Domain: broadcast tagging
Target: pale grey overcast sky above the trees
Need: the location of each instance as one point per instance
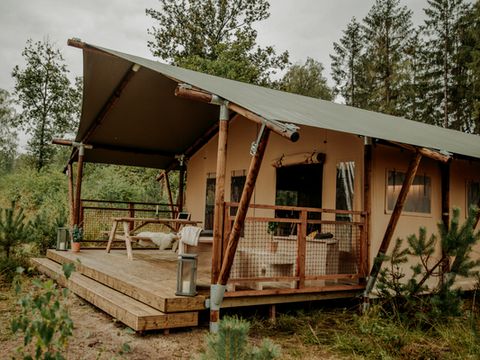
(303, 27)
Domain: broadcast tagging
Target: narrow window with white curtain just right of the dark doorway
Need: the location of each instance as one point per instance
(345, 189)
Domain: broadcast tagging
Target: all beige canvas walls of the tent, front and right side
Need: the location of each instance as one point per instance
(337, 147)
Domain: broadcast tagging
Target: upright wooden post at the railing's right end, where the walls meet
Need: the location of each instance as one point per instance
(367, 208)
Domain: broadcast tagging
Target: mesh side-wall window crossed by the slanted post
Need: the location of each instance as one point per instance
(418, 198)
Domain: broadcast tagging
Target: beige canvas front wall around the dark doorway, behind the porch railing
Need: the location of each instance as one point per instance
(337, 147)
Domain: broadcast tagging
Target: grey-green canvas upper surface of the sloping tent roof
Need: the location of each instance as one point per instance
(286, 107)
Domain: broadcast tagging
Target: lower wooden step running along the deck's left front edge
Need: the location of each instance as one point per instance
(131, 312)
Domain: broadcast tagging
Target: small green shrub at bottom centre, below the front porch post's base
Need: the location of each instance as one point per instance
(231, 342)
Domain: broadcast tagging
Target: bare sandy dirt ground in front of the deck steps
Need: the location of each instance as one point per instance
(99, 336)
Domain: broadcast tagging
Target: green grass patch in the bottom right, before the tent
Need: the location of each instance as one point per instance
(345, 334)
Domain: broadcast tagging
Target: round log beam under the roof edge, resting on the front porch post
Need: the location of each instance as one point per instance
(276, 126)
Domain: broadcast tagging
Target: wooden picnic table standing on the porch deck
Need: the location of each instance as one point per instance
(129, 229)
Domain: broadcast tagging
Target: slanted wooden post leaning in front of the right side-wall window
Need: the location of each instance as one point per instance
(392, 224)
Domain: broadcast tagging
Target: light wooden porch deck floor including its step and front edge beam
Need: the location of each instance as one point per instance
(141, 292)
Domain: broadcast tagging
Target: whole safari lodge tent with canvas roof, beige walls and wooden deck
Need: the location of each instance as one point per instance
(296, 196)
